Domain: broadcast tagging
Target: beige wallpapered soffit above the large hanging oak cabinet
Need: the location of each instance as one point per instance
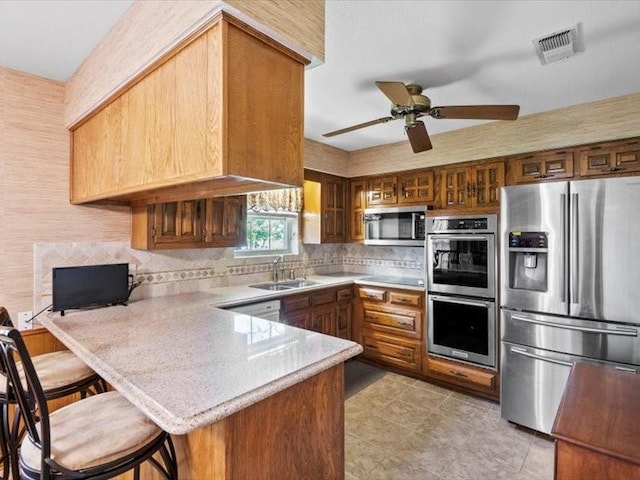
(150, 28)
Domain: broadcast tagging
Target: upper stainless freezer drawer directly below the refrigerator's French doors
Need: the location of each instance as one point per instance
(584, 338)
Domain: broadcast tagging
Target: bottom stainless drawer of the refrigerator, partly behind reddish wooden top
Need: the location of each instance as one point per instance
(533, 381)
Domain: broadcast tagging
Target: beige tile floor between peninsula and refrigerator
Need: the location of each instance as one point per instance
(401, 428)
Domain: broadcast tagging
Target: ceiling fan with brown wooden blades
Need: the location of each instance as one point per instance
(409, 103)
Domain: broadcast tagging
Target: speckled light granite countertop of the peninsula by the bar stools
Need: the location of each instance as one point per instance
(187, 364)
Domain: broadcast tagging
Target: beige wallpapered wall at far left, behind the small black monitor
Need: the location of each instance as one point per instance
(34, 185)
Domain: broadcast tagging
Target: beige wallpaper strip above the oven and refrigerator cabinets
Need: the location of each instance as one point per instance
(609, 119)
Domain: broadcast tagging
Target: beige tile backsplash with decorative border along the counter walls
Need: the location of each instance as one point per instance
(167, 272)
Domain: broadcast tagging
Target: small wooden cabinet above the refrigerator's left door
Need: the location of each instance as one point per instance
(541, 166)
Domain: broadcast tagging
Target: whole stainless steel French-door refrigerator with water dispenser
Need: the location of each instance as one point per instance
(570, 288)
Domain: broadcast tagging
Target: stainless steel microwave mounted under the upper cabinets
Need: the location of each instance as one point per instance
(395, 226)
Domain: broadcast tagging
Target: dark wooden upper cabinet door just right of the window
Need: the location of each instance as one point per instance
(334, 202)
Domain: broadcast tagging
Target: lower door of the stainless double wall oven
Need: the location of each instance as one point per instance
(463, 328)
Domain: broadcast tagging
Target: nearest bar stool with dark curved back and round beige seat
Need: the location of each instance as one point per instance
(98, 437)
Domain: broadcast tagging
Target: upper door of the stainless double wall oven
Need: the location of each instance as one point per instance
(462, 264)
